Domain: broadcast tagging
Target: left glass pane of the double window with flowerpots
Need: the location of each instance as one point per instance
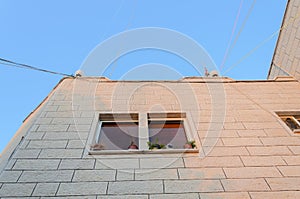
(118, 135)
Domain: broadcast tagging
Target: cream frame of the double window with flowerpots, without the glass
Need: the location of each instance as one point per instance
(143, 133)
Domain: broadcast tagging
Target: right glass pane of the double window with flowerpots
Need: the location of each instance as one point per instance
(168, 133)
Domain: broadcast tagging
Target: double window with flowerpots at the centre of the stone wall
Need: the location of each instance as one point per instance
(141, 132)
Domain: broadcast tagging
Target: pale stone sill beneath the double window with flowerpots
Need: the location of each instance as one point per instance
(133, 151)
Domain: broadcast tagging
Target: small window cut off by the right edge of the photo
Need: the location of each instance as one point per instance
(291, 119)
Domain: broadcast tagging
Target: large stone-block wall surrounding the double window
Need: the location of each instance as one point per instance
(255, 156)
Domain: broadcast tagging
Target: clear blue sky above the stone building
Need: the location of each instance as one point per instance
(59, 35)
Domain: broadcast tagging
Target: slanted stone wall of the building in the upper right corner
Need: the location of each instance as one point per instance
(286, 59)
